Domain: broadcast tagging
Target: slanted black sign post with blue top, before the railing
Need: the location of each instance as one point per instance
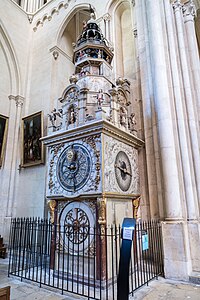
(128, 227)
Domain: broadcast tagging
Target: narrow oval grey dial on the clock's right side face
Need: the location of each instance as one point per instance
(123, 171)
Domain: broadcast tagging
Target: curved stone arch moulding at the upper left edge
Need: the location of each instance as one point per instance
(12, 64)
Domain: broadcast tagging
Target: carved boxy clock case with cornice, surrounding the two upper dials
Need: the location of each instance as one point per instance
(103, 142)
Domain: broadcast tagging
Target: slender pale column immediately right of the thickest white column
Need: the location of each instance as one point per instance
(183, 128)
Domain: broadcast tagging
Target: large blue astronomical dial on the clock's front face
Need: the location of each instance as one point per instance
(74, 166)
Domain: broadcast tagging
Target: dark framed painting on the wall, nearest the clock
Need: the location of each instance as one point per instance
(32, 147)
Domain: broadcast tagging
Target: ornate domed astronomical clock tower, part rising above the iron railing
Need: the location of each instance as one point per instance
(92, 144)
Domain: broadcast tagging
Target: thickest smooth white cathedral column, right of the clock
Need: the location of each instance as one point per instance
(169, 155)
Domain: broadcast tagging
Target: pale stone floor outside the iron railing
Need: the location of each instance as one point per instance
(161, 289)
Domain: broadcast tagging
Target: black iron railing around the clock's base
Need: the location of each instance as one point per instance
(82, 260)
